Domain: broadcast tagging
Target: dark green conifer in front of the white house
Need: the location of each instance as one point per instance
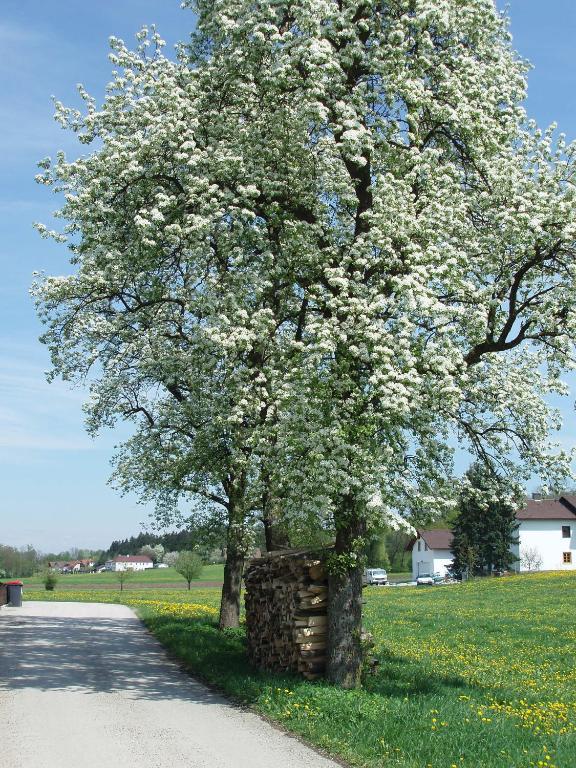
(485, 526)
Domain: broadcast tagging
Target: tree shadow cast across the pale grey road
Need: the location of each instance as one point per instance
(90, 655)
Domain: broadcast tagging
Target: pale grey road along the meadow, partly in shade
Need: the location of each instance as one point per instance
(85, 684)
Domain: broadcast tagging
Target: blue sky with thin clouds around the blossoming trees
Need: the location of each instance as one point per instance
(53, 477)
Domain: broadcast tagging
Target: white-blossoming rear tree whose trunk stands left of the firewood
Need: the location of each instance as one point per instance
(162, 315)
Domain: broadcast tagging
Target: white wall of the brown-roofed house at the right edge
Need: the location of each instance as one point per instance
(545, 537)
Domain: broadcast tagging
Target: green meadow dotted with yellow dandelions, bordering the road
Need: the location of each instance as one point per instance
(474, 675)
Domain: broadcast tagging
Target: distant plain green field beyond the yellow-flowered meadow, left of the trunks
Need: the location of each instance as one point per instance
(148, 578)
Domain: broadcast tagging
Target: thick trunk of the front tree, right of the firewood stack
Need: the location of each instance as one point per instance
(344, 654)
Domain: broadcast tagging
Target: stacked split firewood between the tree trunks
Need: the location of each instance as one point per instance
(286, 612)
